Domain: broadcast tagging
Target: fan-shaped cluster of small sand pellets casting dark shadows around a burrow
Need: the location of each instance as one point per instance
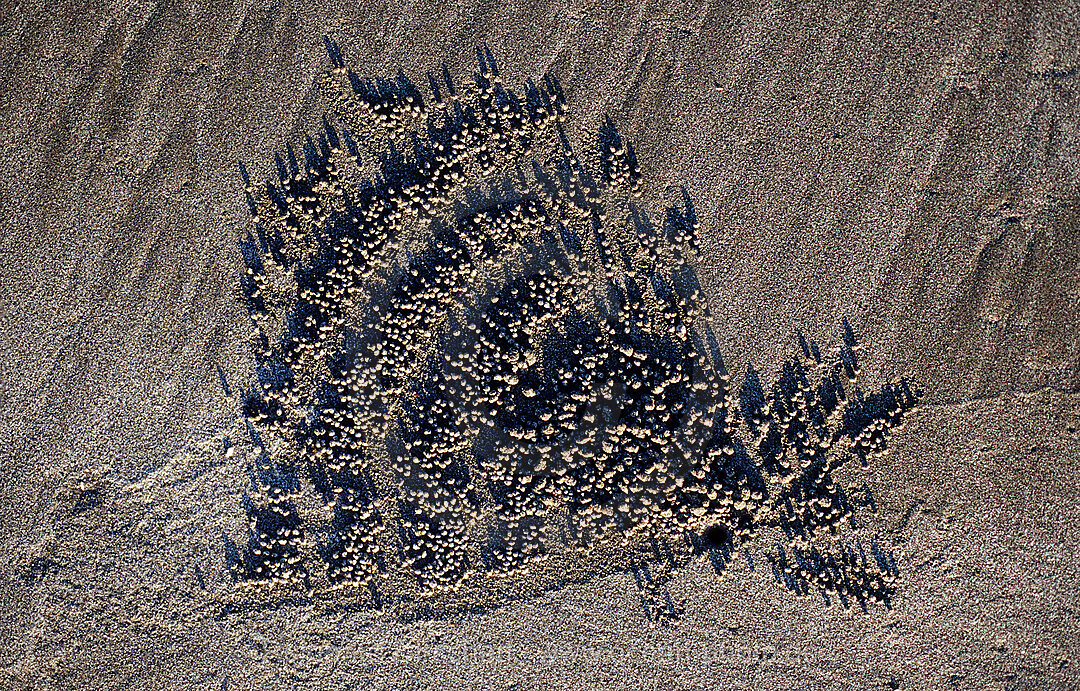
(482, 372)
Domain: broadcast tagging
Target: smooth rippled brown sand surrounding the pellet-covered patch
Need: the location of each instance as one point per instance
(914, 169)
